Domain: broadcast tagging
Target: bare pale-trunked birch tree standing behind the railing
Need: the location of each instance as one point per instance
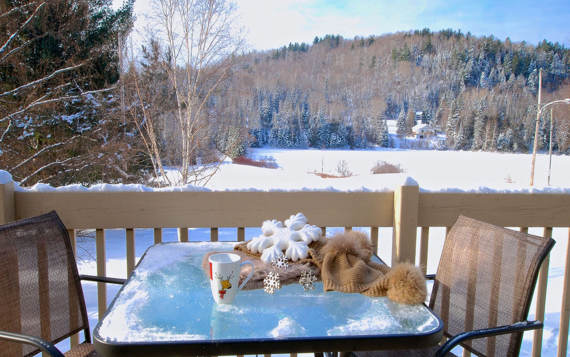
(202, 42)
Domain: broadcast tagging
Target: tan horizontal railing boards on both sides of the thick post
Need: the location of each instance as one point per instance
(323, 208)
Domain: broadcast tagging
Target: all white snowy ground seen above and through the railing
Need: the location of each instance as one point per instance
(432, 170)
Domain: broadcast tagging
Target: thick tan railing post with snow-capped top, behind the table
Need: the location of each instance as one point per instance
(406, 205)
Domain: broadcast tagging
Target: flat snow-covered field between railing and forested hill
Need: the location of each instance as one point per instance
(433, 170)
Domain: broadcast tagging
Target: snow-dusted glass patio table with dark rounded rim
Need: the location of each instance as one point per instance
(166, 307)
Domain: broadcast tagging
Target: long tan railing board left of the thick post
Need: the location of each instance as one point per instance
(207, 209)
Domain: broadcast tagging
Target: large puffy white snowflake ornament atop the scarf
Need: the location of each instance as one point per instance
(292, 240)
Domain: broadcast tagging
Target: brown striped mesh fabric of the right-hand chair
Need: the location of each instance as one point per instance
(486, 277)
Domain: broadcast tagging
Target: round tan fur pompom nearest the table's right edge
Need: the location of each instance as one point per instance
(406, 284)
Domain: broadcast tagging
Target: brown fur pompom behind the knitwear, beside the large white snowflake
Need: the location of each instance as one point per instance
(352, 243)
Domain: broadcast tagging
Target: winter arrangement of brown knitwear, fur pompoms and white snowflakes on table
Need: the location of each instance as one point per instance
(297, 252)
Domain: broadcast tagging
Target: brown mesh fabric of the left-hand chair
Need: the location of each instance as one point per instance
(40, 292)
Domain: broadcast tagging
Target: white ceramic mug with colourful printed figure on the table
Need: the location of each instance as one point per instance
(224, 276)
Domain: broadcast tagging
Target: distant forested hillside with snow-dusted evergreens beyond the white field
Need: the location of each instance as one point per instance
(480, 92)
